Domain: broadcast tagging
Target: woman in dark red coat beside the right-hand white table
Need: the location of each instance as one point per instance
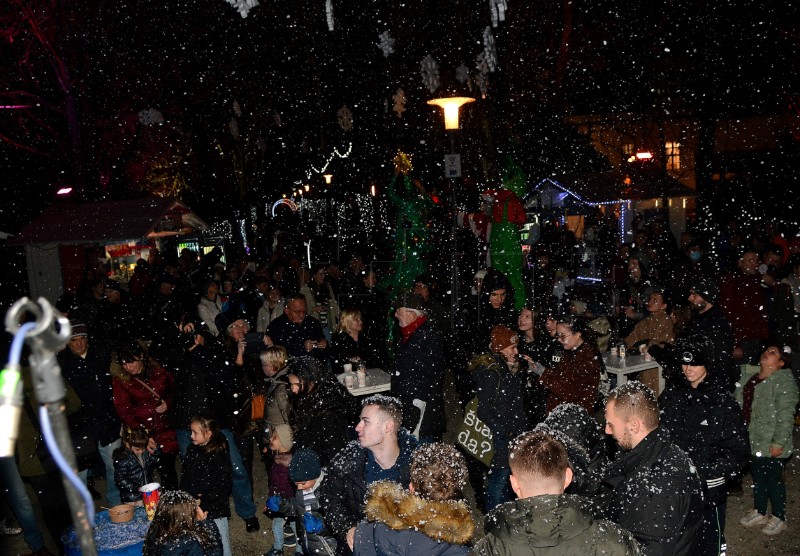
(576, 377)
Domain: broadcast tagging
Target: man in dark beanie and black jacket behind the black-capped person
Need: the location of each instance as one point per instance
(708, 320)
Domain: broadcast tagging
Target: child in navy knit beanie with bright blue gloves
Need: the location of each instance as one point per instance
(306, 473)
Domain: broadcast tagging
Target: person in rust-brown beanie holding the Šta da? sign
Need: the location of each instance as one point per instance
(500, 383)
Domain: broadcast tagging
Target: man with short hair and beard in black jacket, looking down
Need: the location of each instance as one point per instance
(656, 491)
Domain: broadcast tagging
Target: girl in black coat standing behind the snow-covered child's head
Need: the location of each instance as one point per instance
(207, 474)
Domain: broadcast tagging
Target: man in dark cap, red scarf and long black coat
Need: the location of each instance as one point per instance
(418, 380)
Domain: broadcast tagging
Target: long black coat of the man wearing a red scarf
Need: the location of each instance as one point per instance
(419, 374)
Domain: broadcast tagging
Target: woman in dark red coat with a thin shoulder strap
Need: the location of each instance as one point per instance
(142, 398)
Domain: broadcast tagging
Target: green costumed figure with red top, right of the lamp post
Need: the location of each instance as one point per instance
(508, 216)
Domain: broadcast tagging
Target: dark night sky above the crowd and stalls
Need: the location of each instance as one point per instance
(89, 67)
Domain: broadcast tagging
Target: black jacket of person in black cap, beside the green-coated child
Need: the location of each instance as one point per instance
(706, 422)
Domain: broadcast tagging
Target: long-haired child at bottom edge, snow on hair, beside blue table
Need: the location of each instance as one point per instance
(180, 528)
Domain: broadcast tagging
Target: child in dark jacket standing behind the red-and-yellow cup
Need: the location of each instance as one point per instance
(134, 463)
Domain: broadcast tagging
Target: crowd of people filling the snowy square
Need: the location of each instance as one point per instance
(196, 371)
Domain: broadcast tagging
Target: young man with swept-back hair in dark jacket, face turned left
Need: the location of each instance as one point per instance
(382, 452)
